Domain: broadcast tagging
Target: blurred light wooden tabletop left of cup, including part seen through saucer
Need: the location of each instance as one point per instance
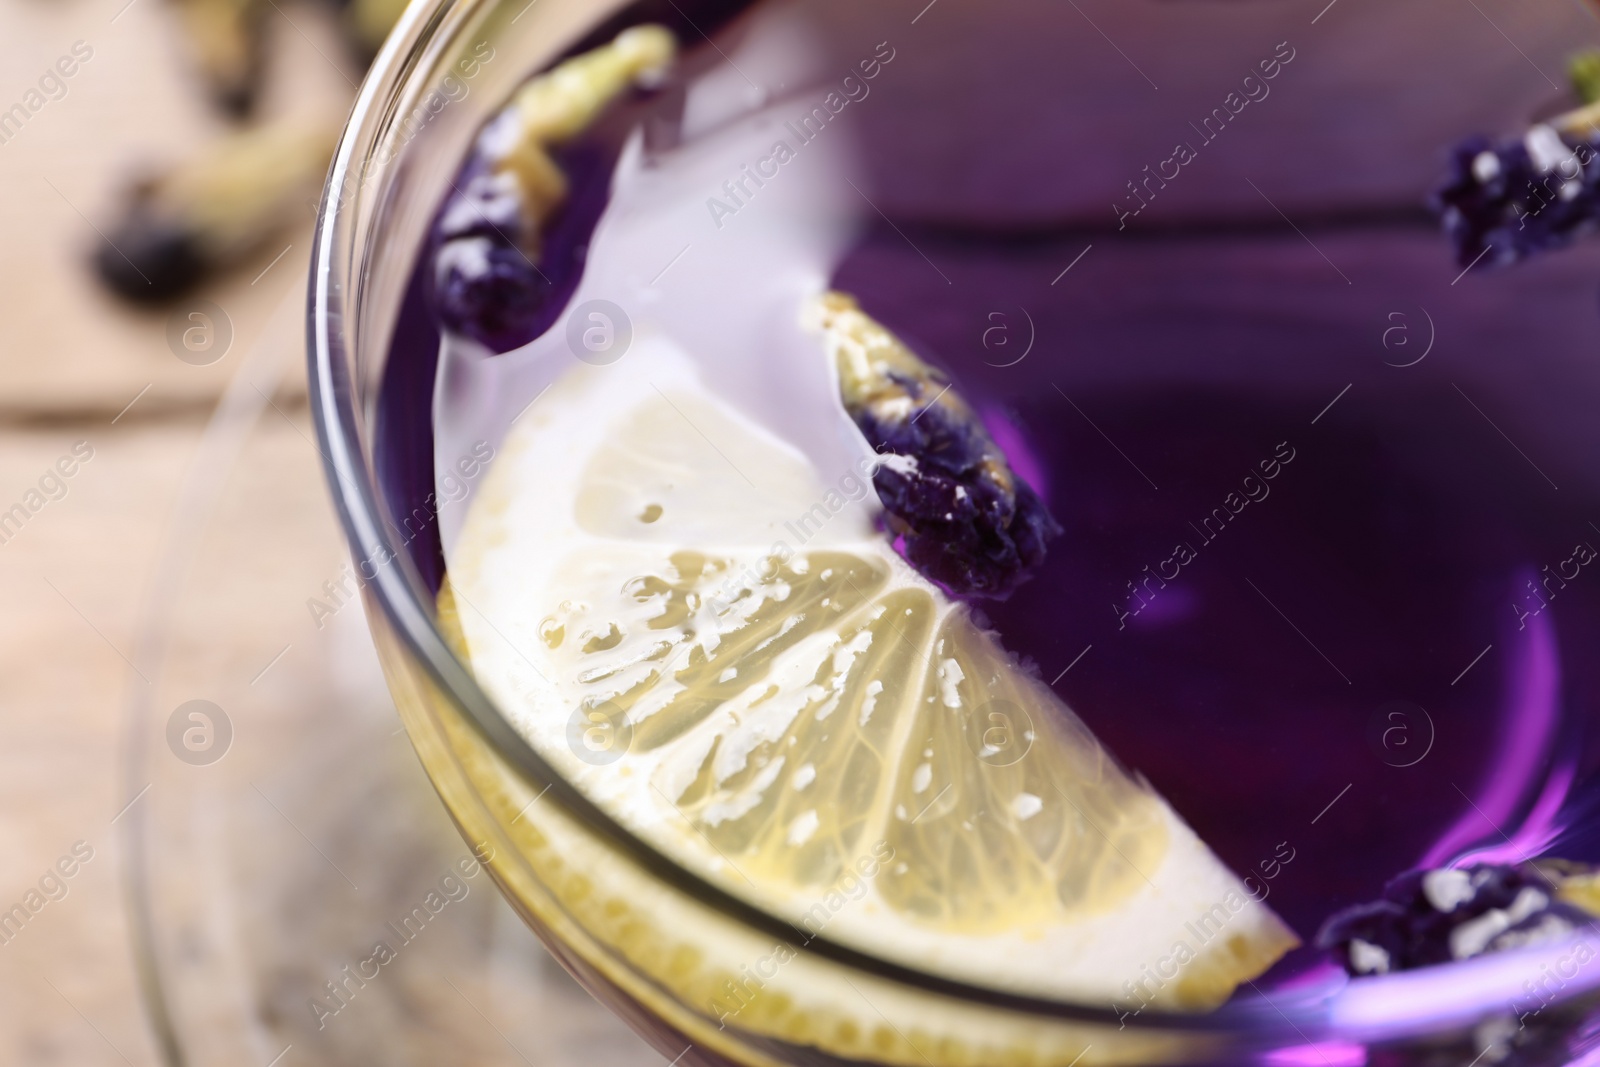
(87, 377)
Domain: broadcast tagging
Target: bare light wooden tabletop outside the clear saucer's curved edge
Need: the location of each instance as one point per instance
(73, 361)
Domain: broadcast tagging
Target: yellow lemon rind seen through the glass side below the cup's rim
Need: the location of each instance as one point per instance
(662, 957)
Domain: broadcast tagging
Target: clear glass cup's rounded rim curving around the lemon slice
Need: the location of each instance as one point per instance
(348, 298)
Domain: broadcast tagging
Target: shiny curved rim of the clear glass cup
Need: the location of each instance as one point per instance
(1310, 1015)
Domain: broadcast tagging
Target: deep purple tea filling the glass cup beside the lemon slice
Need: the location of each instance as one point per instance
(1329, 502)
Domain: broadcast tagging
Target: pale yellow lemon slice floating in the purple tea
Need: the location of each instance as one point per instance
(710, 639)
